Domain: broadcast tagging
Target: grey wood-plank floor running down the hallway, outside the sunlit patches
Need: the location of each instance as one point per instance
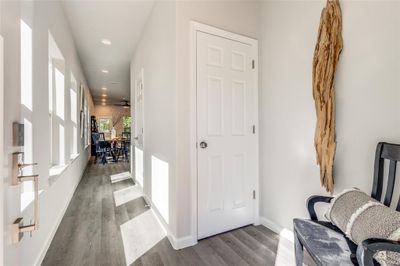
(90, 233)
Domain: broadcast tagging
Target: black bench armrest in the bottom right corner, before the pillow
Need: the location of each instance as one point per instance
(368, 248)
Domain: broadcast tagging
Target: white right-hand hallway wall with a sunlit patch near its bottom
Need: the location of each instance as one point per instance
(155, 54)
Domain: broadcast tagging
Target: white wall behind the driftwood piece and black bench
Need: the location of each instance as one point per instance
(367, 90)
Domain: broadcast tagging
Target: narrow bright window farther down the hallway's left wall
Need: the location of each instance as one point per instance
(74, 117)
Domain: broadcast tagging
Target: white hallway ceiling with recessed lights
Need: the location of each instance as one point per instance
(121, 22)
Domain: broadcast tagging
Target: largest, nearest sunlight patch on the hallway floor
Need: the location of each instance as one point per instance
(139, 235)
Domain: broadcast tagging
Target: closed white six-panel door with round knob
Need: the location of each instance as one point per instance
(227, 151)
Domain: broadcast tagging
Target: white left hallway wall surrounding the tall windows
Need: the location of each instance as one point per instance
(42, 18)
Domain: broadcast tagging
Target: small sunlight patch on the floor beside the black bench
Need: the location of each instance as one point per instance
(285, 251)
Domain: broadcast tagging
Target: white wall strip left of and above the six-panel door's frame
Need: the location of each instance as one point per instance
(236, 16)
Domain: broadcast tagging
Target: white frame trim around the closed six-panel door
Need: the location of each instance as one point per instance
(199, 27)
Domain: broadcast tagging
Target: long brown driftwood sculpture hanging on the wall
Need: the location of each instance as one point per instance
(326, 56)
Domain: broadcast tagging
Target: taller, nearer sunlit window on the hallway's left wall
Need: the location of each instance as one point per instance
(56, 103)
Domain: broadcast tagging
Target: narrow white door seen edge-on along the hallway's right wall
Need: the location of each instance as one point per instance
(139, 129)
